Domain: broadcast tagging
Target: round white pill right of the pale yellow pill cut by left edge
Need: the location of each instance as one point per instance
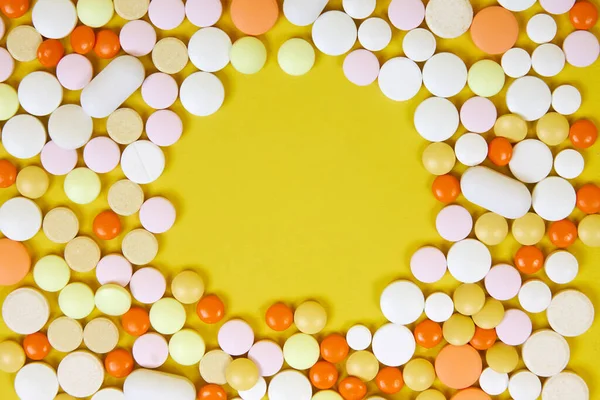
(40, 93)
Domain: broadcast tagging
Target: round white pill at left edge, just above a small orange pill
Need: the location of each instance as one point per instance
(23, 136)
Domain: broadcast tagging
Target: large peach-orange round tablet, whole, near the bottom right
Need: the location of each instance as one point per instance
(458, 367)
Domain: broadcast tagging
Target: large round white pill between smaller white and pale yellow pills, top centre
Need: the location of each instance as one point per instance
(334, 33)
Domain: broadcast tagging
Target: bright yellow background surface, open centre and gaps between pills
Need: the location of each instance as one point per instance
(305, 188)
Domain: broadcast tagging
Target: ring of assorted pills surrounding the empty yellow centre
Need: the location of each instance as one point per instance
(478, 336)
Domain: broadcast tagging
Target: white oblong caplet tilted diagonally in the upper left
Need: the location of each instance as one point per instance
(112, 86)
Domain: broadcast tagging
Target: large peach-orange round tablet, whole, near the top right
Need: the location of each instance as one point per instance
(494, 30)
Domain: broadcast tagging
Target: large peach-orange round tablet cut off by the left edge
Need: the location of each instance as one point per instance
(15, 262)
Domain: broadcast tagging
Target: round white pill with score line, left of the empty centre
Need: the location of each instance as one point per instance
(142, 162)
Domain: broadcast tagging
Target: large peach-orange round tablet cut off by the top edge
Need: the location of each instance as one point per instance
(254, 17)
